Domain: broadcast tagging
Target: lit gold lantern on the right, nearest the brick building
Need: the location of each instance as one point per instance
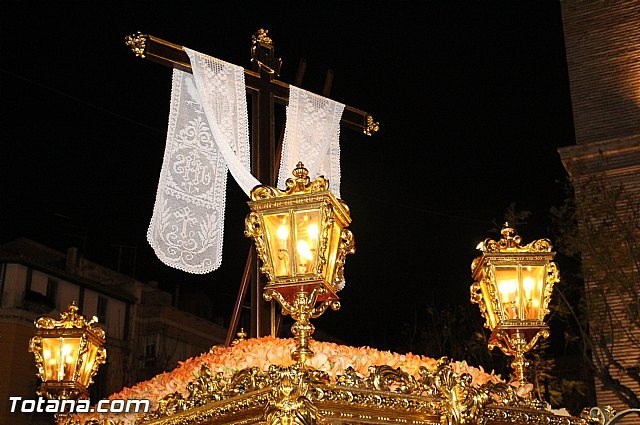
(513, 286)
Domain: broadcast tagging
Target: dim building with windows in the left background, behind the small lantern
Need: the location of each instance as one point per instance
(146, 333)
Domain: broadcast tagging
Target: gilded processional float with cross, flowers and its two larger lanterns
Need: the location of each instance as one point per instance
(302, 239)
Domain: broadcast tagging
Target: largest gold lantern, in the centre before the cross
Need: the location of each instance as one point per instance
(301, 237)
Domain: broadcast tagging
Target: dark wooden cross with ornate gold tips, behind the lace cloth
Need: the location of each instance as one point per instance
(265, 91)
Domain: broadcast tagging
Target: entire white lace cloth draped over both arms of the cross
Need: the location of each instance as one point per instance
(208, 133)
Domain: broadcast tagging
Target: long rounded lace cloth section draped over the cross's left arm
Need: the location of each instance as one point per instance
(208, 132)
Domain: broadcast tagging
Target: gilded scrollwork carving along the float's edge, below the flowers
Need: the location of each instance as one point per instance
(298, 395)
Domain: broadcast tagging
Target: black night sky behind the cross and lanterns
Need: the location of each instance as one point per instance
(472, 99)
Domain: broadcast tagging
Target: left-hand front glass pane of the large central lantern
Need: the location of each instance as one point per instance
(279, 236)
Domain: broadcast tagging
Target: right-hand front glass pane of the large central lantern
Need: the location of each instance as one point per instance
(307, 240)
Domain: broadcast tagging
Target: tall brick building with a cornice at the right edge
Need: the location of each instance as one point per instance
(602, 42)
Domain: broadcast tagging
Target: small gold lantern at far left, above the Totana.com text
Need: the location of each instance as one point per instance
(68, 353)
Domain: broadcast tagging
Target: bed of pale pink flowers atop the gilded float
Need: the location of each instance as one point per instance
(331, 358)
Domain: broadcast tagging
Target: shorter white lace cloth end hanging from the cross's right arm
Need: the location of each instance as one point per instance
(312, 134)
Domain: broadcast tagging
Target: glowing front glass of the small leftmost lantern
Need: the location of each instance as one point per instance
(60, 356)
